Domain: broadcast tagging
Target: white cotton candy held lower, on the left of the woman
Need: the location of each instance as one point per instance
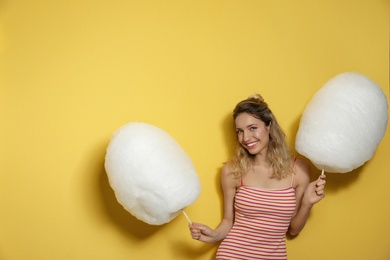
(151, 175)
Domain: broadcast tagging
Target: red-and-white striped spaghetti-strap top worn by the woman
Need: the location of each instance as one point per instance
(262, 218)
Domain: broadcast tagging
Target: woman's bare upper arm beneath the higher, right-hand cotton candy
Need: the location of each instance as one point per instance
(302, 178)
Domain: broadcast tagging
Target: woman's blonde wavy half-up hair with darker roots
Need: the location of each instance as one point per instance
(279, 153)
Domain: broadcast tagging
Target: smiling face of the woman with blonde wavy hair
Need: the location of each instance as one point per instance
(252, 133)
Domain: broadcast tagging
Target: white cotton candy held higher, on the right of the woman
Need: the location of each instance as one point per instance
(343, 124)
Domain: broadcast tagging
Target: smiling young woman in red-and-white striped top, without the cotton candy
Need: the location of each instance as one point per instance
(266, 190)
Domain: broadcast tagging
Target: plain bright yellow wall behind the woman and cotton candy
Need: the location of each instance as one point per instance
(72, 72)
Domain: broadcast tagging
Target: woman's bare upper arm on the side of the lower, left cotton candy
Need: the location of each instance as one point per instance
(229, 186)
